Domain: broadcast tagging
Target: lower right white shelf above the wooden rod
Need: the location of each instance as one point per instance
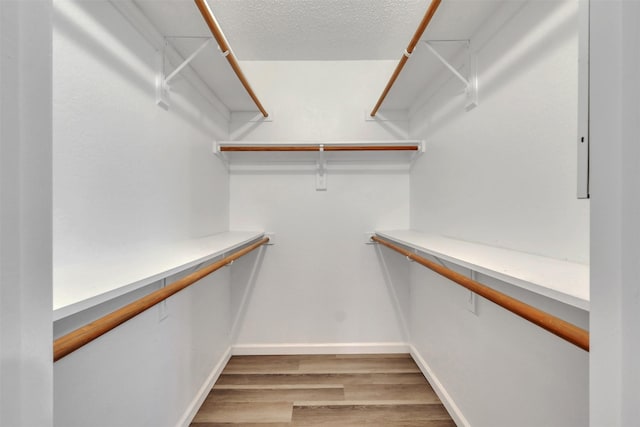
(564, 281)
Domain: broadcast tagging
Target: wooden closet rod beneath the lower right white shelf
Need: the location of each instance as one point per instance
(565, 330)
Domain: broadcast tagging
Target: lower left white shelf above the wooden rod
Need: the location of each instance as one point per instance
(79, 287)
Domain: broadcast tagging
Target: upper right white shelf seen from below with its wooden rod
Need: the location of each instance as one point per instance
(453, 24)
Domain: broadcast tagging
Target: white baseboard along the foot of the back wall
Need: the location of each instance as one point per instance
(320, 348)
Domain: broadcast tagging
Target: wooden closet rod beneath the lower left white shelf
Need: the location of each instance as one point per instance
(85, 334)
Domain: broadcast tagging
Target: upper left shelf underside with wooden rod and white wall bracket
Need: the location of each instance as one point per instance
(190, 44)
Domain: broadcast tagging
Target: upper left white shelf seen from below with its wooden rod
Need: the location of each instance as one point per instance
(184, 29)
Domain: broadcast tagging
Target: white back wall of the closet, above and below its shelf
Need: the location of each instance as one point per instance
(320, 283)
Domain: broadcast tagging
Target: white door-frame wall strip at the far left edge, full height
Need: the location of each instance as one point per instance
(26, 375)
